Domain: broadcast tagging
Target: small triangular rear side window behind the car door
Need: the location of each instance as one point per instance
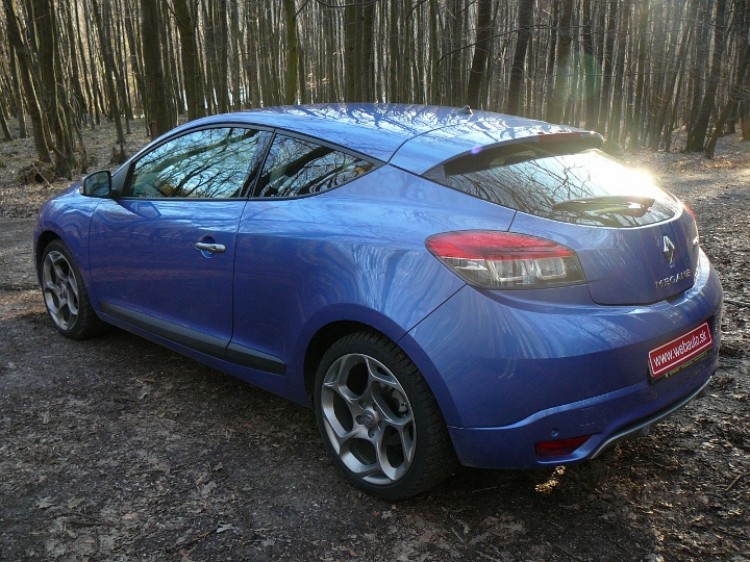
(300, 167)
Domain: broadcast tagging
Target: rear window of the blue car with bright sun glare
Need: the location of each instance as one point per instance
(588, 188)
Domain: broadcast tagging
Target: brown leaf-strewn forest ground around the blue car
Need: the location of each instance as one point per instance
(117, 449)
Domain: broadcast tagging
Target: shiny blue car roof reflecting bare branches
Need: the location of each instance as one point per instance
(413, 137)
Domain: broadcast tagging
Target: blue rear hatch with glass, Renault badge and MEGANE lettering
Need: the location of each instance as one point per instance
(635, 242)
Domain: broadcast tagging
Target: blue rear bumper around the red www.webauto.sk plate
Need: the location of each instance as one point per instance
(513, 371)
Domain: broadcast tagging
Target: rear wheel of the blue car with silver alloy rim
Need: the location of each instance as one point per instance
(379, 420)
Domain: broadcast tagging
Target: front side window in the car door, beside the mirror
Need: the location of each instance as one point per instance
(204, 164)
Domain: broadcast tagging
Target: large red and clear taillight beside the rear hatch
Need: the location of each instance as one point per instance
(503, 260)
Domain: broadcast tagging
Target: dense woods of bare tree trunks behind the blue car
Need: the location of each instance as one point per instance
(641, 72)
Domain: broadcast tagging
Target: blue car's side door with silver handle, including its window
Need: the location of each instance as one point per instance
(162, 254)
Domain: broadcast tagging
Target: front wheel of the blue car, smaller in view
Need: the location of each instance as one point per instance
(65, 294)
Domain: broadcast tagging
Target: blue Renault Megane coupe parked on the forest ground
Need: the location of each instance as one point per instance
(442, 285)
